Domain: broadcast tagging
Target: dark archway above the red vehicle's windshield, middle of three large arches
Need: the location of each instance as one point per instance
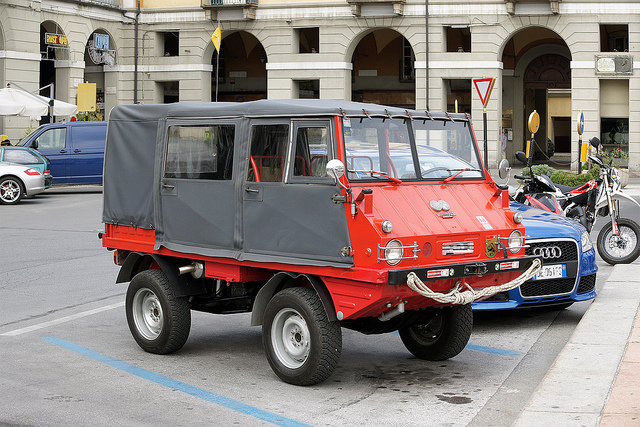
(383, 70)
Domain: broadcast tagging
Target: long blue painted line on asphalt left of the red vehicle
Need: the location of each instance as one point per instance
(177, 385)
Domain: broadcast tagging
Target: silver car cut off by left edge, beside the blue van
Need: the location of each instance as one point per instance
(17, 181)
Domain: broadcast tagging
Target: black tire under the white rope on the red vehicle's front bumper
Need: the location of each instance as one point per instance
(442, 336)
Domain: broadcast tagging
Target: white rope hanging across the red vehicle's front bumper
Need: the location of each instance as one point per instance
(454, 296)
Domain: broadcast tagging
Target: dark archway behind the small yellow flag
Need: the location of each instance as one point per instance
(242, 71)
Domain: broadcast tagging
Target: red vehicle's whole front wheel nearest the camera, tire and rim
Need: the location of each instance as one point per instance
(302, 346)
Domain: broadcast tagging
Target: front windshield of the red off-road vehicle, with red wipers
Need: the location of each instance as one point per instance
(383, 148)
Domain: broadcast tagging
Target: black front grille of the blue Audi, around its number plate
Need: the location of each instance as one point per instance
(542, 288)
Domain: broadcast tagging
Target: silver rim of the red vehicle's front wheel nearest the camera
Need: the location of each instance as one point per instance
(290, 338)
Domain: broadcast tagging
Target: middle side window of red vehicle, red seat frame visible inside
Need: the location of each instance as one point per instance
(268, 152)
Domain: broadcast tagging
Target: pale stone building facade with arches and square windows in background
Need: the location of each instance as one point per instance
(562, 59)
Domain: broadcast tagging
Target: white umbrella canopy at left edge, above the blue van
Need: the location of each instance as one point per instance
(19, 102)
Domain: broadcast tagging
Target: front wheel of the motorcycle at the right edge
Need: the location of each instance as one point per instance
(622, 249)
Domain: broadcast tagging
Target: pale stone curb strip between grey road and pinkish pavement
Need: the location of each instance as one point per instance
(578, 384)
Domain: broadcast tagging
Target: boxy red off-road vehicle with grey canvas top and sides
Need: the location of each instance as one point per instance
(313, 215)
